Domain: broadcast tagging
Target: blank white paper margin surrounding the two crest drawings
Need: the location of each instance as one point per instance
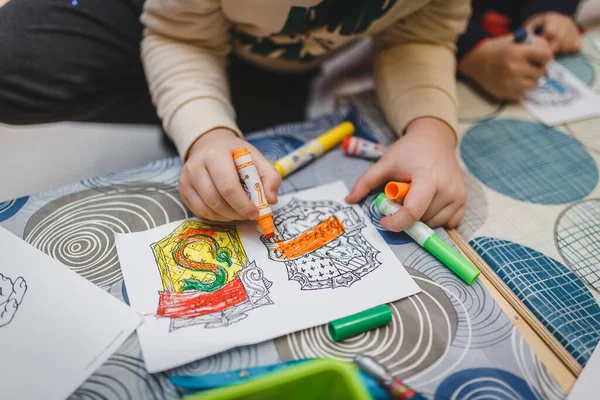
(293, 309)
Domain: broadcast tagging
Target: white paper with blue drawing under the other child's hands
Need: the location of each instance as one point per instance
(561, 97)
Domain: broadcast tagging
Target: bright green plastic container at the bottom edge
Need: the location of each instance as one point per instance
(314, 380)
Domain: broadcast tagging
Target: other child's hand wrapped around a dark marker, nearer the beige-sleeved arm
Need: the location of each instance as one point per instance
(506, 69)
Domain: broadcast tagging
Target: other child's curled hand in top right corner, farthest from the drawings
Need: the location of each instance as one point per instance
(559, 30)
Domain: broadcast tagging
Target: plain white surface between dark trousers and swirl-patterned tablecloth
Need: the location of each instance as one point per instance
(40, 157)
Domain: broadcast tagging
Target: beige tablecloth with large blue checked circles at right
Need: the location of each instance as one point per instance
(533, 210)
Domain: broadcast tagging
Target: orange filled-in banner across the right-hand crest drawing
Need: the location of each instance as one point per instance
(311, 239)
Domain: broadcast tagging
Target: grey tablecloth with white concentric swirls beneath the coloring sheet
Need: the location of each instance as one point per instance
(450, 341)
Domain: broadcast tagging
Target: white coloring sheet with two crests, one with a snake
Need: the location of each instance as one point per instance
(350, 273)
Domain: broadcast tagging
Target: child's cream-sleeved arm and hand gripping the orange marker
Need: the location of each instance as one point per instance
(184, 51)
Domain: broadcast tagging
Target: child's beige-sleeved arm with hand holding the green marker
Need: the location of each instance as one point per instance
(414, 70)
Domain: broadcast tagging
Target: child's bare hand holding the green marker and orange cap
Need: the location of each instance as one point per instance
(424, 156)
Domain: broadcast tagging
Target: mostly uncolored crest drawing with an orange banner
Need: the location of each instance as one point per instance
(321, 244)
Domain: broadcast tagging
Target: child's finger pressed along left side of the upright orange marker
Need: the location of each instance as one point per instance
(227, 181)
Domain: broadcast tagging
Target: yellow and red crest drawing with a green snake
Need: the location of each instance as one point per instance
(206, 276)
